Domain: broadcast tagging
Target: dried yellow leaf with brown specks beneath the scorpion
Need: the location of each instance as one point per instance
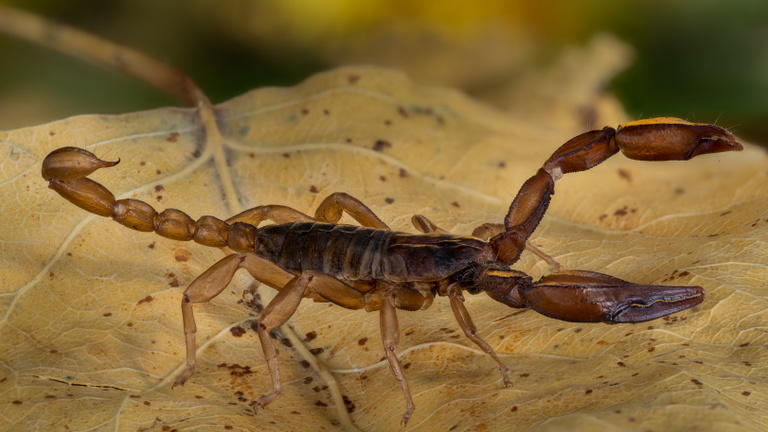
(90, 327)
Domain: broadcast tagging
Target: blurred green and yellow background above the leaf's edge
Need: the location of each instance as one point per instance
(701, 60)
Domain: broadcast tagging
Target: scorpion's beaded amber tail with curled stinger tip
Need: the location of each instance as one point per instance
(66, 170)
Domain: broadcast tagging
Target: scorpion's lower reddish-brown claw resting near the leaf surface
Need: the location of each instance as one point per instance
(585, 296)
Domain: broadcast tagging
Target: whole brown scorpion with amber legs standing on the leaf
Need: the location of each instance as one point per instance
(373, 268)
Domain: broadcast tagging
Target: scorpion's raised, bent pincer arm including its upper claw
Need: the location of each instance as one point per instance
(656, 139)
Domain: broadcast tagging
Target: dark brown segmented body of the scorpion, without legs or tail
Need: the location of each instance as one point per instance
(367, 254)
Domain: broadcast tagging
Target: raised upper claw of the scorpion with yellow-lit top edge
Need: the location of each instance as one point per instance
(669, 138)
